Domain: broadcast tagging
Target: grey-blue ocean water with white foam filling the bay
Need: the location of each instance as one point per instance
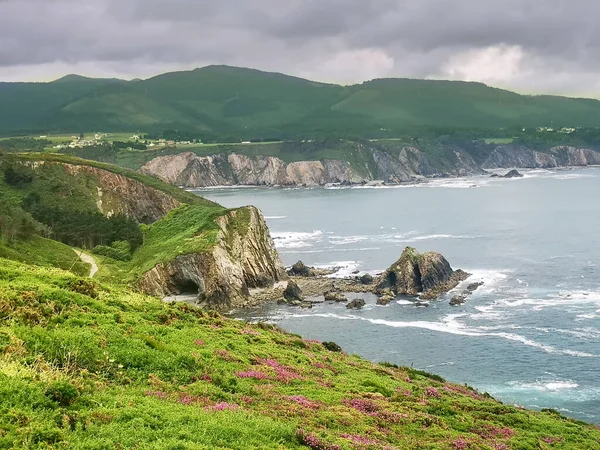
(529, 336)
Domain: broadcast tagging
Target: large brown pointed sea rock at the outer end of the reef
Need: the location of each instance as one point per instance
(428, 274)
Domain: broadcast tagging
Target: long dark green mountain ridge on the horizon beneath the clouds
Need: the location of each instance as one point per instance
(231, 101)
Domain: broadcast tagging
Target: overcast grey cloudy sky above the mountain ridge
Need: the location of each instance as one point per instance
(531, 46)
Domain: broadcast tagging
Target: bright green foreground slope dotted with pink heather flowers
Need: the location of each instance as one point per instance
(85, 366)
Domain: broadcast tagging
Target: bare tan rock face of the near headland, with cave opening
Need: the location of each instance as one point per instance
(243, 258)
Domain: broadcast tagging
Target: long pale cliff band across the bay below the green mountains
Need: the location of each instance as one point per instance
(360, 163)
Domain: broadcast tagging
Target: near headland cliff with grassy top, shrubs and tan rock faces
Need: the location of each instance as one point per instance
(185, 243)
